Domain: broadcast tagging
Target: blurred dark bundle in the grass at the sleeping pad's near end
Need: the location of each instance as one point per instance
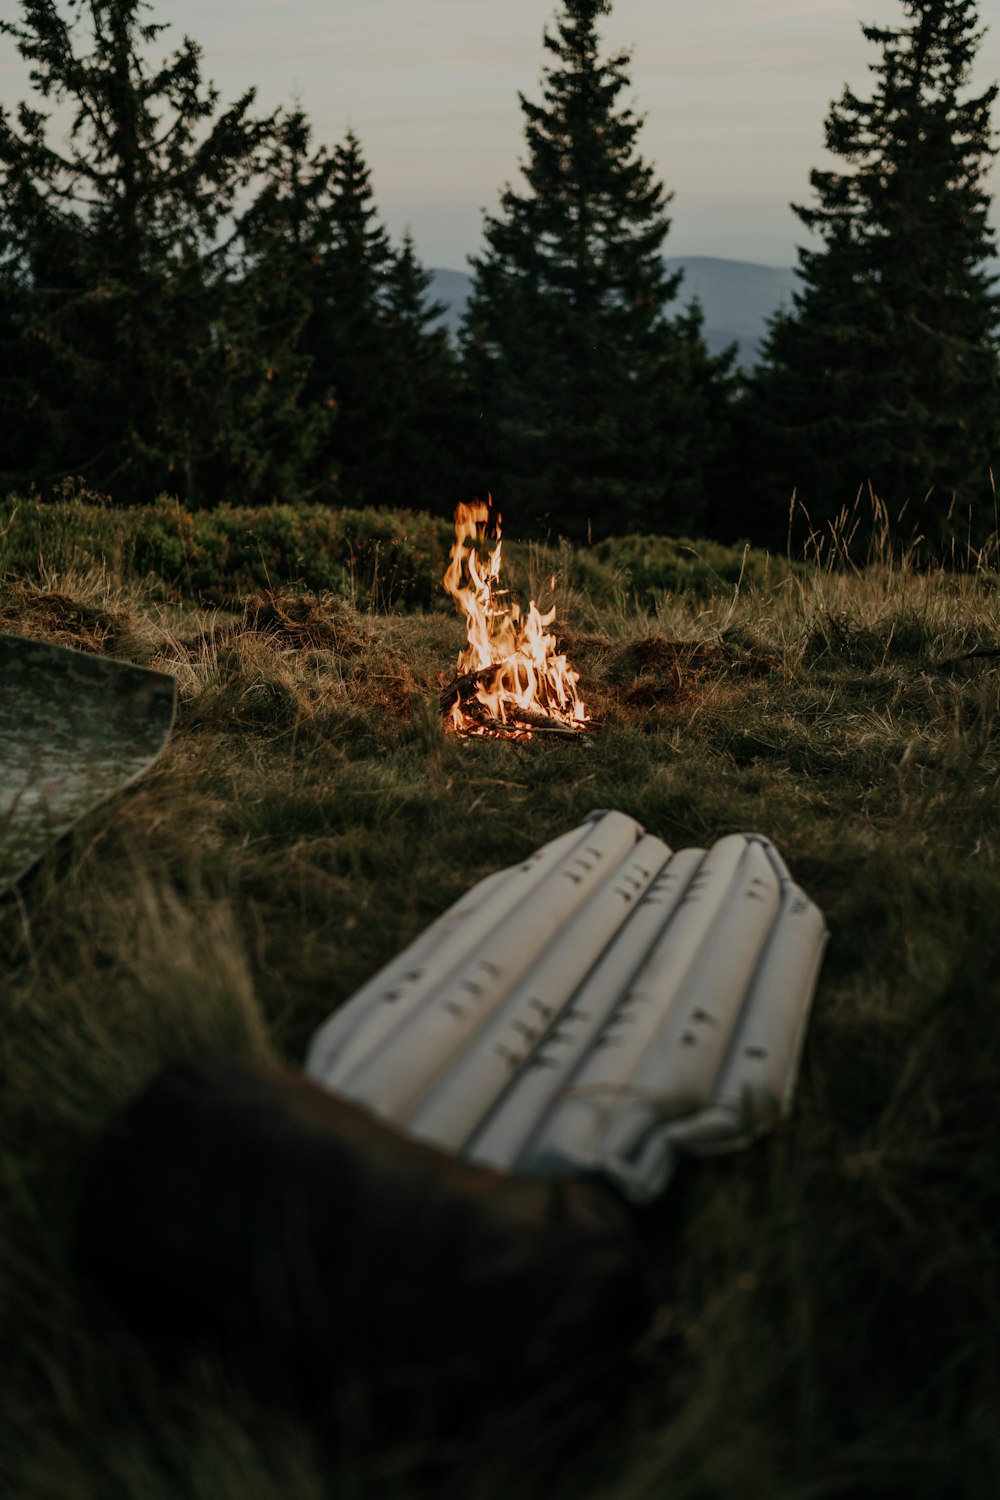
(245, 1202)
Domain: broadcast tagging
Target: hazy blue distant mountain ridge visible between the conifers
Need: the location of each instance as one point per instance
(737, 298)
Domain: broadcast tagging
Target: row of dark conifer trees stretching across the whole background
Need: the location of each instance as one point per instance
(200, 301)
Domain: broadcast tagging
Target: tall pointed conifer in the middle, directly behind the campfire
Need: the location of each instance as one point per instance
(597, 406)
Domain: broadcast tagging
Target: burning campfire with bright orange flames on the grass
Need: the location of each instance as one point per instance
(512, 679)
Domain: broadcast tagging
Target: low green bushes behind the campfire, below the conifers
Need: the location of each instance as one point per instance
(386, 559)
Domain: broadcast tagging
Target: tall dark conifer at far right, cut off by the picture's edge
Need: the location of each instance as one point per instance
(885, 371)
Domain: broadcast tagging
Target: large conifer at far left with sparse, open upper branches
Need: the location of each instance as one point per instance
(116, 247)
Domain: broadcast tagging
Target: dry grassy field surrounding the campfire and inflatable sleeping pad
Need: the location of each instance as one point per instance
(830, 1313)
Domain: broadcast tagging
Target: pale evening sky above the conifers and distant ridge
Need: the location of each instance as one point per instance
(734, 92)
